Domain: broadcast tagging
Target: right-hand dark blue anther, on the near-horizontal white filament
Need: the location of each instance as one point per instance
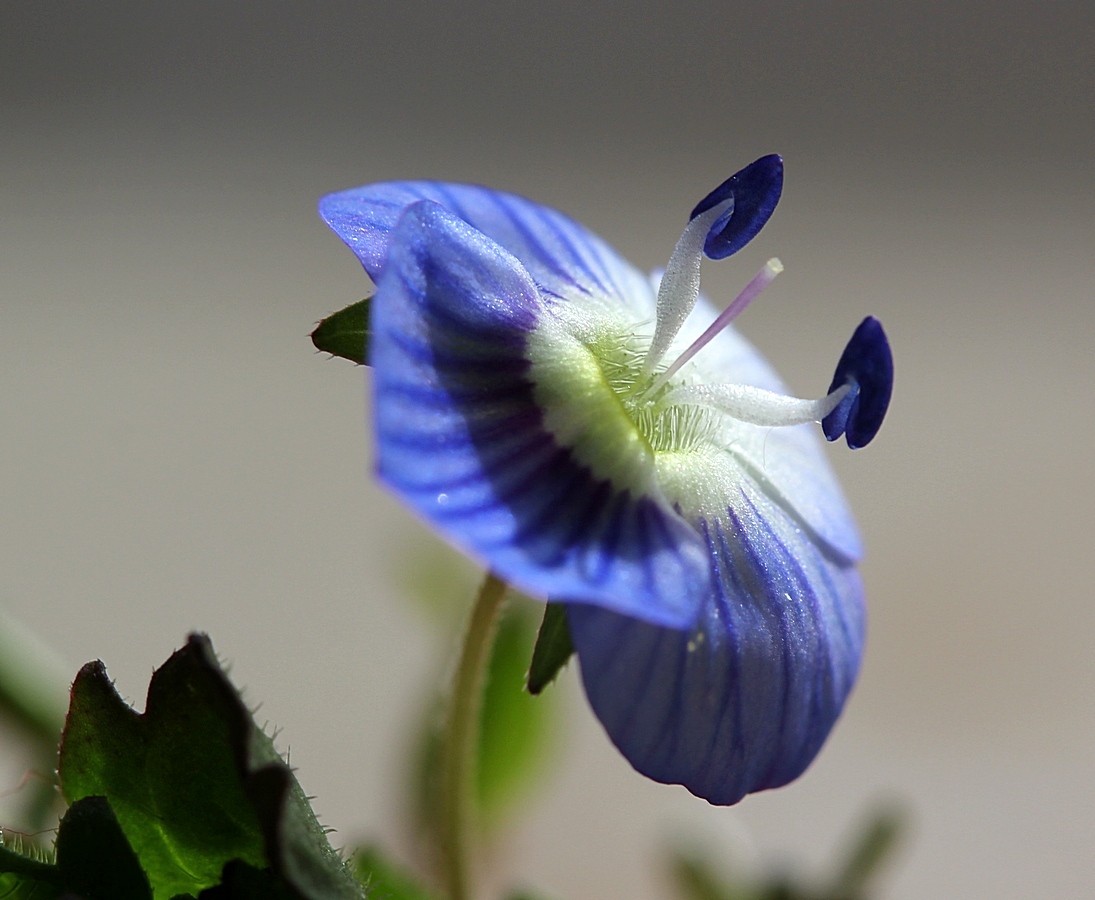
(868, 366)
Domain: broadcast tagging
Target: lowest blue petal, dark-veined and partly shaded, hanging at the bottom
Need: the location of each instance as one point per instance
(744, 701)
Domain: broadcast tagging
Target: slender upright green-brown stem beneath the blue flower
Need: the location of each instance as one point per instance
(462, 739)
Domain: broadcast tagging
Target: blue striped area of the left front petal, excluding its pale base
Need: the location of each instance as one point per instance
(463, 441)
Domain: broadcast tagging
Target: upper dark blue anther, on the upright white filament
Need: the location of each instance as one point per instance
(756, 191)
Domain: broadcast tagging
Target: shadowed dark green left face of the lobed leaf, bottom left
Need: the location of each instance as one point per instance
(174, 776)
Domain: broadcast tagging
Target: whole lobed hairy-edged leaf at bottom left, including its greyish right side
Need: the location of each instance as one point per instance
(194, 783)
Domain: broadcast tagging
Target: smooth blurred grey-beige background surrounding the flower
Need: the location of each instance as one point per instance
(174, 455)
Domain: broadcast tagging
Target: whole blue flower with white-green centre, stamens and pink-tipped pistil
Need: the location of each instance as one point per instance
(685, 512)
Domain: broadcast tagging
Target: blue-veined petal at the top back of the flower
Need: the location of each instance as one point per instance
(564, 259)
